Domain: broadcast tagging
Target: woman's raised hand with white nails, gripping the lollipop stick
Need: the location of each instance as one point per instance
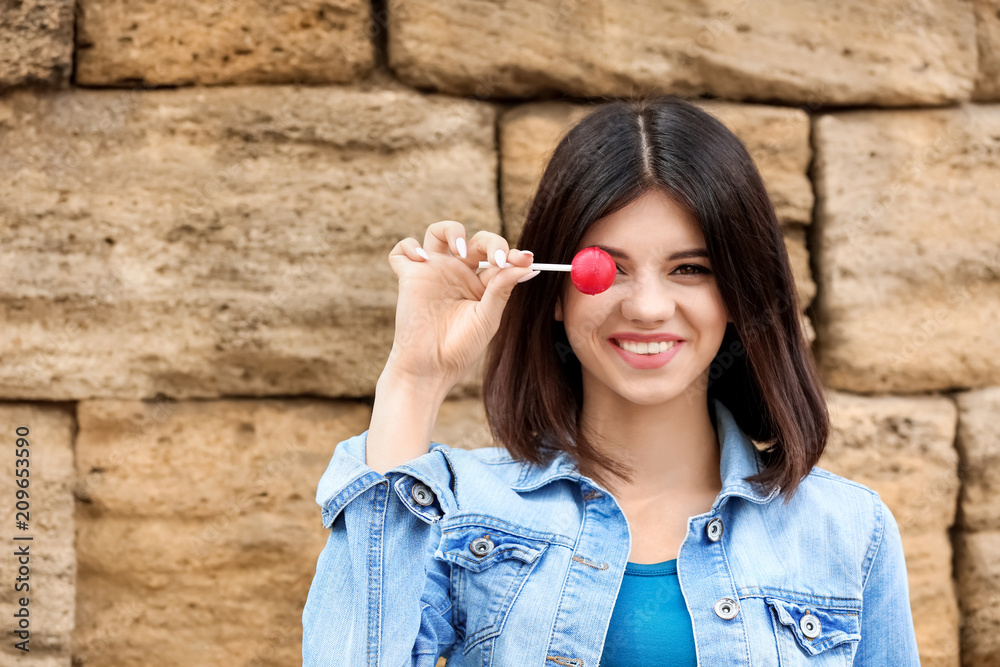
(447, 313)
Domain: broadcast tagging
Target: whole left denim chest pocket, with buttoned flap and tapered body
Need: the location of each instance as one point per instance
(489, 566)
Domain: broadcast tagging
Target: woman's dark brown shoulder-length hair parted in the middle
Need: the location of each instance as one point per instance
(763, 373)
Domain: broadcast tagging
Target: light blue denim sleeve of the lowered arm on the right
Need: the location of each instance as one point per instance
(887, 636)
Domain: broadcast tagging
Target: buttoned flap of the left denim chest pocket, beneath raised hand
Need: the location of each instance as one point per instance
(477, 547)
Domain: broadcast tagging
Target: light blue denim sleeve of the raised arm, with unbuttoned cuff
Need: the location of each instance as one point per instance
(378, 596)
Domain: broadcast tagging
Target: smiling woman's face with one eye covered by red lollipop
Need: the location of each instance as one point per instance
(652, 335)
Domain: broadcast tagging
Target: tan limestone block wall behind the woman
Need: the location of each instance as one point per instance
(196, 202)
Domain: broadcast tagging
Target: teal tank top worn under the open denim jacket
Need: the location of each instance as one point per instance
(650, 626)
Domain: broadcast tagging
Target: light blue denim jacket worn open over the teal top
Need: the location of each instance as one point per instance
(491, 561)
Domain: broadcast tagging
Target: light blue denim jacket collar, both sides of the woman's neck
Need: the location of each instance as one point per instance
(738, 459)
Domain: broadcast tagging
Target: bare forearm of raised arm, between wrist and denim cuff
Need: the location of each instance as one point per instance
(403, 417)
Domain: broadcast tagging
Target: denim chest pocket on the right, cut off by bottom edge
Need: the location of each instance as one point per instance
(811, 635)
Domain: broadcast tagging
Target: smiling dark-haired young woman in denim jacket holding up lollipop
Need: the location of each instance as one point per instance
(655, 501)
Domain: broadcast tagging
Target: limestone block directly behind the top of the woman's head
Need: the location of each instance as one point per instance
(776, 138)
